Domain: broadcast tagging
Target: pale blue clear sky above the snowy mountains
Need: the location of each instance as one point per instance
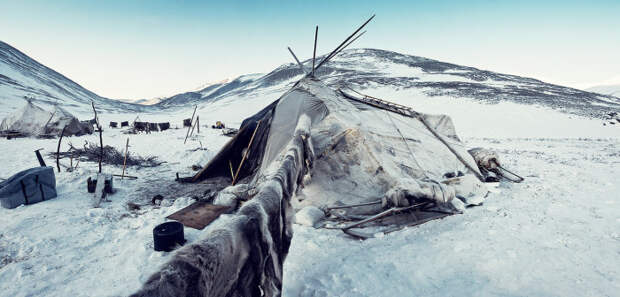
(144, 49)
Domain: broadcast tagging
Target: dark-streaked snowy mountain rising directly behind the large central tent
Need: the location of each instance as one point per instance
(368, 68)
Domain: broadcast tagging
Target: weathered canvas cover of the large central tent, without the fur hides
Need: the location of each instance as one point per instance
(363, 152)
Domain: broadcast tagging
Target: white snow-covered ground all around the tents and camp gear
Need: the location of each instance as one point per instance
(555, 234)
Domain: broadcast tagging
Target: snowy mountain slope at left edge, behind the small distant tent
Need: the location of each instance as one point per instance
(21, 77)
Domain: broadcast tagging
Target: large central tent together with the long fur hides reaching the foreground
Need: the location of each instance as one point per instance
(313, 147)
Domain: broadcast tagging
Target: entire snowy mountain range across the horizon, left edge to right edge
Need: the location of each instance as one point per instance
(21, 76)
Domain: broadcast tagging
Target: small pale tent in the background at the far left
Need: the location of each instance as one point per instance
(33, 120)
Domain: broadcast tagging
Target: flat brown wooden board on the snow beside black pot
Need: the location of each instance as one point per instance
(199, 214)
